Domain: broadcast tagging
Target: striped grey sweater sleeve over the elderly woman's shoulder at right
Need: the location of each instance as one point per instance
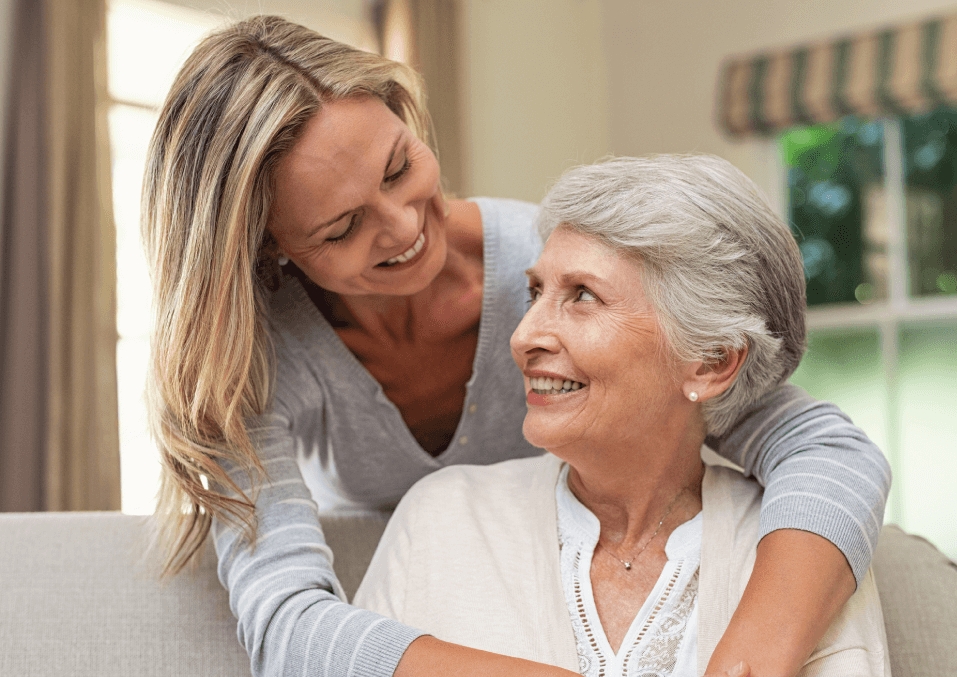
(821, 473)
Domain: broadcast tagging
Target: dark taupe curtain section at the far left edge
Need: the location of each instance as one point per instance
(23, 278)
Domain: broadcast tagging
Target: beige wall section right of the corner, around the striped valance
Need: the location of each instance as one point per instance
(664, 57)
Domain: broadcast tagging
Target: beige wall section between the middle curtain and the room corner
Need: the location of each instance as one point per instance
(536, 92)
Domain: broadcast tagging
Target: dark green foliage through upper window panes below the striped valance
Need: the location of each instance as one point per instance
(838, 209)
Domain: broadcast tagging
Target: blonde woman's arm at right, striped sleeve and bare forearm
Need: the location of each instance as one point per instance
(826, 485)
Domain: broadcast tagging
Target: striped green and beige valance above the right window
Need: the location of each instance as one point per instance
(887, 72)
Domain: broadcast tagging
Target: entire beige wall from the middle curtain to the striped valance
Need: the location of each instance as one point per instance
(552, 83)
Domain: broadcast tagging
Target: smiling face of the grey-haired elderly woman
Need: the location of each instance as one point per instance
(596, 368)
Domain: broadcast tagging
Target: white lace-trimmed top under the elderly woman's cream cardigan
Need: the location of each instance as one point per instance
(662, 640)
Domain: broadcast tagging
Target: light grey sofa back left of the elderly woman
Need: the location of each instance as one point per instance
(80, 599)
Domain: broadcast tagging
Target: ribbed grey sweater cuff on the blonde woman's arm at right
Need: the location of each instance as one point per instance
(822, 517)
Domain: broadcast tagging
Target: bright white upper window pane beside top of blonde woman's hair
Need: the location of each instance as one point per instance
(147, 43)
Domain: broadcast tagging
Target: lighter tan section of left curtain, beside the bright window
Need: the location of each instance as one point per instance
(82, 469)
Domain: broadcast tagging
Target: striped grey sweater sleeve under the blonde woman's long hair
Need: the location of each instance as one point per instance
(292, 619)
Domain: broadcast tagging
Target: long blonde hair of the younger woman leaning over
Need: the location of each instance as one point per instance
(238, 104)
